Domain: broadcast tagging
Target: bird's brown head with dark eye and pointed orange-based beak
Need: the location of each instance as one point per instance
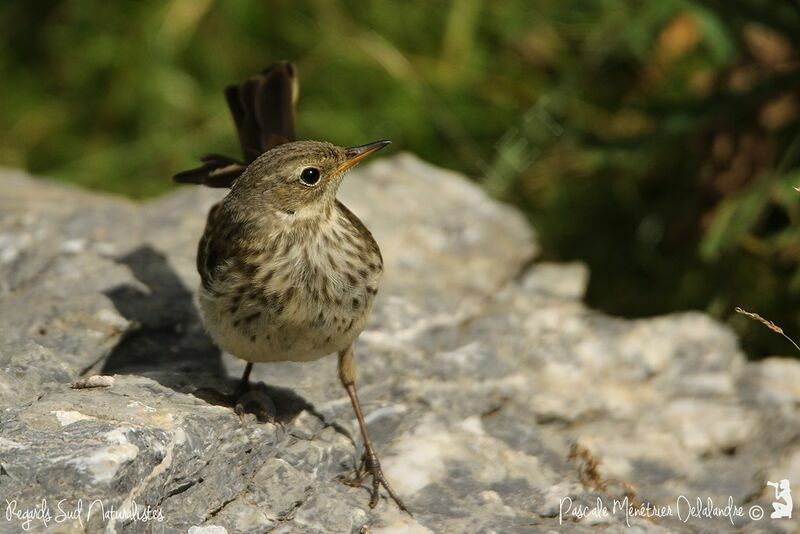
(299, 178)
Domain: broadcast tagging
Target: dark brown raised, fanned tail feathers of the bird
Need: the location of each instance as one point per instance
(263, 109)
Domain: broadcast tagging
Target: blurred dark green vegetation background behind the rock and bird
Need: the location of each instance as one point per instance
(659, 142)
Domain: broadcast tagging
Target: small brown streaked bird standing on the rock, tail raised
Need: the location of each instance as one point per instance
(287, 271)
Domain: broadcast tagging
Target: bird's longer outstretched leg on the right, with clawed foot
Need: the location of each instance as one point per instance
(370, 465)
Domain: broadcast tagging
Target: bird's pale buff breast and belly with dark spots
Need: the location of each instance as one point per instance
(298, 296)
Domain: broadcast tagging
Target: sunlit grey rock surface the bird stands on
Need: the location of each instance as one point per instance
(493, 394)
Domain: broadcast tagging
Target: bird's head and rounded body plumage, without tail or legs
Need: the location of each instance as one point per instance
(290, 252)
